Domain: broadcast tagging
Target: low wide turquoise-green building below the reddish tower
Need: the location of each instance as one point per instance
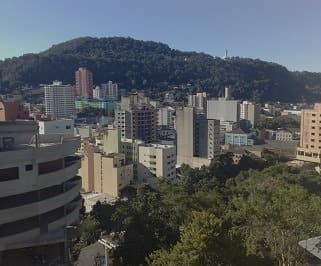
(106, 105)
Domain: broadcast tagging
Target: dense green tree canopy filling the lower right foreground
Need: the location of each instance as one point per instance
(254, 214)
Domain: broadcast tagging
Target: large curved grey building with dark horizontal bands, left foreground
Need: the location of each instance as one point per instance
(39, 192)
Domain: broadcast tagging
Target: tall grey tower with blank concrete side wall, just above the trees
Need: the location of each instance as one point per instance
(198, 138)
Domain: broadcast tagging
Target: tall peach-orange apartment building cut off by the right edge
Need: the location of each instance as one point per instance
(310, 139)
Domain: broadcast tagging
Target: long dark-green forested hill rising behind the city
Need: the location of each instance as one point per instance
(145, 64)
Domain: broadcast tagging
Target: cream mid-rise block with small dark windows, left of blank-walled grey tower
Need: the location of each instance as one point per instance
(157, 160)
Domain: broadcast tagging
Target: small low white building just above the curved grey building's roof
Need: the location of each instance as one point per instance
(56, 127)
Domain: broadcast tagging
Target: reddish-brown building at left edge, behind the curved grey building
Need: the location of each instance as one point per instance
(10, 111)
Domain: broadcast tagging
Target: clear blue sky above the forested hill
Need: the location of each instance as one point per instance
(283, 31)
